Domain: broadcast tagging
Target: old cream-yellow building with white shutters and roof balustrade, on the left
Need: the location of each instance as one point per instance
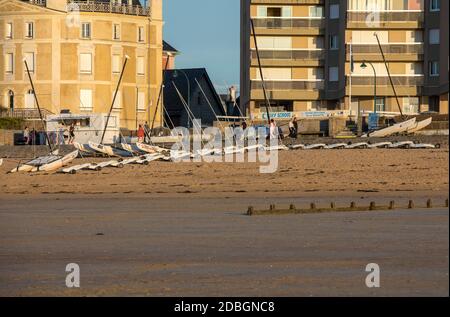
(75, 51)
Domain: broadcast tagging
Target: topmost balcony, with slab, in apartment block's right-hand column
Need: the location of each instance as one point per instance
(385, 19)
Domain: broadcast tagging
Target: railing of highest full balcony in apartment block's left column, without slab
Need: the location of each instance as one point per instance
(282, 23)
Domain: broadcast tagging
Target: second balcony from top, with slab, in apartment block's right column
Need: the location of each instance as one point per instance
(392, 52)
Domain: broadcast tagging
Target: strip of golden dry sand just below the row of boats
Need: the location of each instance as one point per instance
(323, 172)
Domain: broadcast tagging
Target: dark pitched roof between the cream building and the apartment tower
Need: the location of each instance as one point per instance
(170, 94)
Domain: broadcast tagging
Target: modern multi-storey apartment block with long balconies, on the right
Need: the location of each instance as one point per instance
(324, 55)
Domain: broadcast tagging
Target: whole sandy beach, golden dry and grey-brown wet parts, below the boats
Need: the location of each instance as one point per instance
(180, 229)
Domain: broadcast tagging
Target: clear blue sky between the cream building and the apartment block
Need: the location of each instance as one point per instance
(206, 32)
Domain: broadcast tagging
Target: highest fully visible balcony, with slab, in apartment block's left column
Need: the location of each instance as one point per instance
(289, 25)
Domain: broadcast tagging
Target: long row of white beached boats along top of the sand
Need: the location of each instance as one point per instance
(144, 154)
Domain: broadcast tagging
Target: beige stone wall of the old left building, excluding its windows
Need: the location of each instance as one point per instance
(57, 47)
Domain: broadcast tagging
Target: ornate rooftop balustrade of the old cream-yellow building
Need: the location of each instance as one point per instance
(94, 6)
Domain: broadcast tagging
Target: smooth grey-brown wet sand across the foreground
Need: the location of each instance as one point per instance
(208, 247)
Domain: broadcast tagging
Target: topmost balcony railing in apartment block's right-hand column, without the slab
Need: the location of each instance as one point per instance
(383, 17)
